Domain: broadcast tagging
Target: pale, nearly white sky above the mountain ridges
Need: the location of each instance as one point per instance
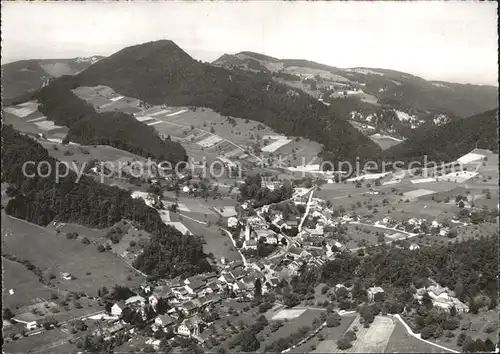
(449, 41)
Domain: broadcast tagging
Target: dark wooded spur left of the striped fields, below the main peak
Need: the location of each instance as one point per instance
(116, 129)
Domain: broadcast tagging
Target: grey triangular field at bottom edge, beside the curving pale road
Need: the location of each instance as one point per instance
(401, 342)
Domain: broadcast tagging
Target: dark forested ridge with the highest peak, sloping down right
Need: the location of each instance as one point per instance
(160, 72)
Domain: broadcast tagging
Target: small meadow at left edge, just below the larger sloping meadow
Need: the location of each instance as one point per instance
(24, 284)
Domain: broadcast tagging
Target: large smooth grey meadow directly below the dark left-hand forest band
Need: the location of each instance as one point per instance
(56, 254)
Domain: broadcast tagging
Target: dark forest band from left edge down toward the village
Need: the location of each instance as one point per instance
(41, 200)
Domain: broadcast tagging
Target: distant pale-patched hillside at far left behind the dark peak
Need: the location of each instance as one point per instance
(26, 76)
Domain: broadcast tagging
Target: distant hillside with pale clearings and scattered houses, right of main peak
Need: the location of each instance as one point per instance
(362, 93)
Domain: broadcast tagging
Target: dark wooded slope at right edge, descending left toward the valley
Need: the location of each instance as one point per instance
(449, 142)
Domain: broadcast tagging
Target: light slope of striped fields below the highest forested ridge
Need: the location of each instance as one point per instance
(203, 132)
